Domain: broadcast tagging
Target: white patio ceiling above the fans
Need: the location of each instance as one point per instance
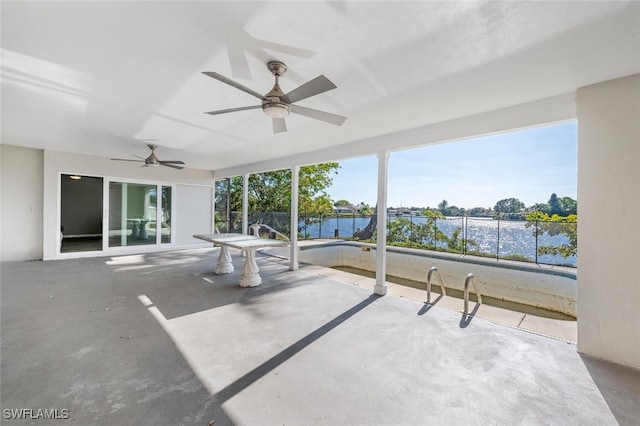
(99, 77)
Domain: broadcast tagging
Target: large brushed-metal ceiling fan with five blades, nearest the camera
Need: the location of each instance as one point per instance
(277, 105)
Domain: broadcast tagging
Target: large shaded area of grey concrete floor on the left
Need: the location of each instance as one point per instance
(75, 337)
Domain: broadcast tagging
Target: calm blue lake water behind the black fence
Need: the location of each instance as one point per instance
(497, 238)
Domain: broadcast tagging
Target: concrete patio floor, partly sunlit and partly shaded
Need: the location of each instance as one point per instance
(159, 339)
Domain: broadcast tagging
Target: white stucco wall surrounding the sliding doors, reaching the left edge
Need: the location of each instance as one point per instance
(30, 209)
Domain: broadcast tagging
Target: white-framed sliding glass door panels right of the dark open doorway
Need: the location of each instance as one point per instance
(137, 216)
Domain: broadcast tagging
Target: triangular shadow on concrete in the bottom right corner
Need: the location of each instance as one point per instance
(612, 381)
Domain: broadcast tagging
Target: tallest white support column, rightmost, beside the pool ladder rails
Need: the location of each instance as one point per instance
(381, 243)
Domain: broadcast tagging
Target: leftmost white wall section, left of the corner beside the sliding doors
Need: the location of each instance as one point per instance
(21, 202)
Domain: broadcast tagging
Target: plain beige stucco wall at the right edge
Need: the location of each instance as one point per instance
(609, 220)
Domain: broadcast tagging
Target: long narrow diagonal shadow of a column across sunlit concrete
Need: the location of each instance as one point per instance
(254, 375)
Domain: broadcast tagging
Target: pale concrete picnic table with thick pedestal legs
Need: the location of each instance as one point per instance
(249, 243)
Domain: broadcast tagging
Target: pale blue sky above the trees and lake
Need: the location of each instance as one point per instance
(528, 165)
